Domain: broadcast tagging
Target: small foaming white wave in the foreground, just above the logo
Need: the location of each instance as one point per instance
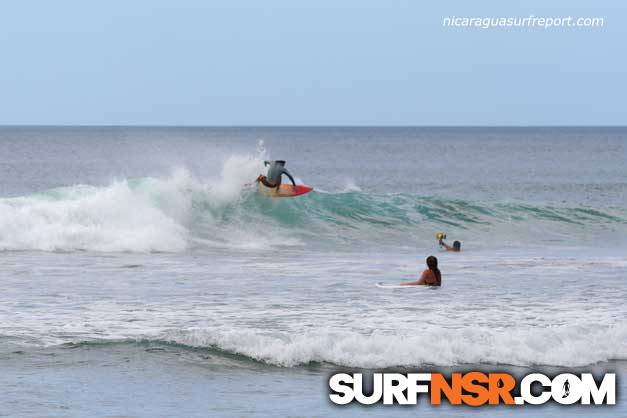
(559, 346)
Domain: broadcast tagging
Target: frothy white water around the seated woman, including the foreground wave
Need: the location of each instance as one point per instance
(295, 309)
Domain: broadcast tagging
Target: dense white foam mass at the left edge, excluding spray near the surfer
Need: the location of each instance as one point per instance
(112, 218)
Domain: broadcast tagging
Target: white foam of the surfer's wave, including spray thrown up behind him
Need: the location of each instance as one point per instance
(141, 215)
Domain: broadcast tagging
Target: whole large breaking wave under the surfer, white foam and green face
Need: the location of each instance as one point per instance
(180, 211)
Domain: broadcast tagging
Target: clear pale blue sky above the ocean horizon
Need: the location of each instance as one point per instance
(274, 62)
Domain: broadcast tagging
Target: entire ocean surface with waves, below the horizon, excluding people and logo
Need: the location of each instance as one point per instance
(143, 276)
